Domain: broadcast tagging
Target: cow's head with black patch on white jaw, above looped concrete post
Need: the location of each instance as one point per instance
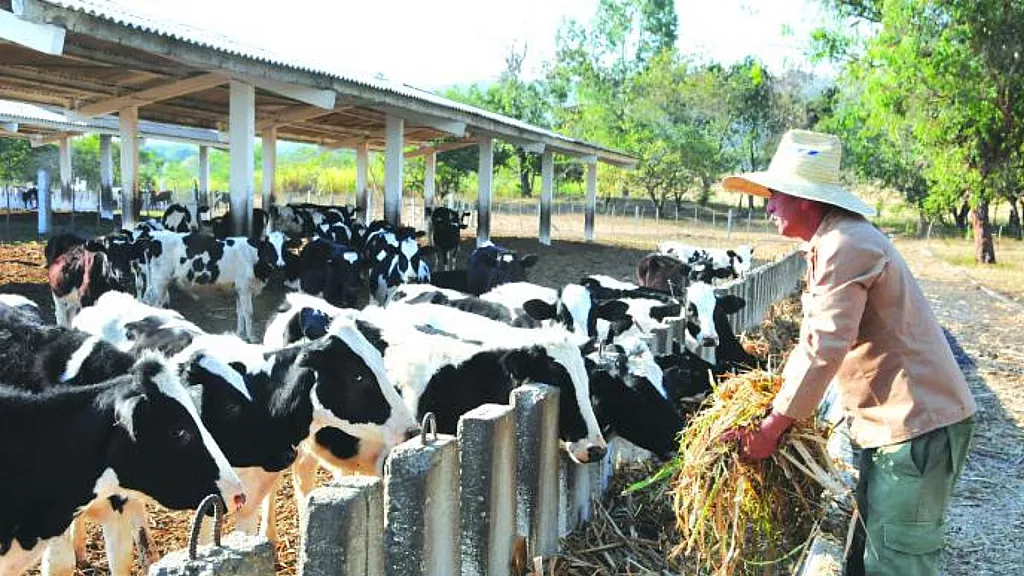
(353, 394)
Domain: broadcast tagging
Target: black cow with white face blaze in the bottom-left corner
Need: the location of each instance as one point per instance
(138, 433)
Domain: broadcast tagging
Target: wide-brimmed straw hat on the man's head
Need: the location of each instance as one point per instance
(805, 166)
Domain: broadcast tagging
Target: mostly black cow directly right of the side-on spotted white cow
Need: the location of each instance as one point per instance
(331, 271)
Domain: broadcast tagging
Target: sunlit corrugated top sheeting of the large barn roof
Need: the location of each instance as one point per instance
(111, 12)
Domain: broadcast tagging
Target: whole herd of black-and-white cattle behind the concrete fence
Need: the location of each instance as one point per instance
(125, 401)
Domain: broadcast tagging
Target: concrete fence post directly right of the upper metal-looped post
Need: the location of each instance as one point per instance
(488, 458)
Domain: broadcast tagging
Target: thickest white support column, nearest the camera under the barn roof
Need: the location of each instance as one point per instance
(242, 131)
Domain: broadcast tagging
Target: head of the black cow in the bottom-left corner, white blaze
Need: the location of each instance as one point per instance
(163, 449)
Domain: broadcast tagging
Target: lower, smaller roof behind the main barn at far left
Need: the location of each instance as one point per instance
(49, 119)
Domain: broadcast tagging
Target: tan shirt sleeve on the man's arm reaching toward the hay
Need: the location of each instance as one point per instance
(843, 270)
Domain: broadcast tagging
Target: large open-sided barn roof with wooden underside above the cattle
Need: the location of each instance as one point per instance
(110, 52)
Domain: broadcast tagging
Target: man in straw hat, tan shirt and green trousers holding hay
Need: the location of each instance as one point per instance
(869, 330)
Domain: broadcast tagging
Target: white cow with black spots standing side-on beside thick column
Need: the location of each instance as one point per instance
(198, 260)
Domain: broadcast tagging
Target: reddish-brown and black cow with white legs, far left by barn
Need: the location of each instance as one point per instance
(77, 277)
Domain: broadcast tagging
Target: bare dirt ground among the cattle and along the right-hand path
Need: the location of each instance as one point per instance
(988, 513)
